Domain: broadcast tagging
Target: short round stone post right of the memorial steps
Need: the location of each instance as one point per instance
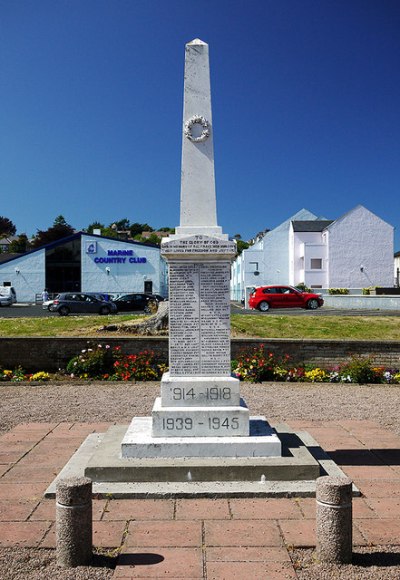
(334, 519)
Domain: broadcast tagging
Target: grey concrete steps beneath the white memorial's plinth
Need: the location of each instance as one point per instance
(293, 474)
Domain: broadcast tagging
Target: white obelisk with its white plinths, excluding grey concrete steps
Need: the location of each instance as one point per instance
(200, 412)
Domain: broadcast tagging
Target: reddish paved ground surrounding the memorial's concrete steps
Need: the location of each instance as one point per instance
(189, 538)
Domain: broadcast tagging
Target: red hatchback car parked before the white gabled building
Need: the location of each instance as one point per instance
(265, 297)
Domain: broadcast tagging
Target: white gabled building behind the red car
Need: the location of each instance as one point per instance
(354, 251)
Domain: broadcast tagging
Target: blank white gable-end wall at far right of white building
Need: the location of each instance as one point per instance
(360, 251)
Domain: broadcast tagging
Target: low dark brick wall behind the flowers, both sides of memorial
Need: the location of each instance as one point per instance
(51, 354)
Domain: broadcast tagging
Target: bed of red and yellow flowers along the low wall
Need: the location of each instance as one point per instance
(101, 362)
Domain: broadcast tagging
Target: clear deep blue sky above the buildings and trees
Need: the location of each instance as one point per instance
(306, 109)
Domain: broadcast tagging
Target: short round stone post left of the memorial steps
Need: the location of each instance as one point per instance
(74, 522)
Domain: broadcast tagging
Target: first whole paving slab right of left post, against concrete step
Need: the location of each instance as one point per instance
(139, 509)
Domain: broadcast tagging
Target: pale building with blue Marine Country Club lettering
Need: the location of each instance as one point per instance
(86, 263)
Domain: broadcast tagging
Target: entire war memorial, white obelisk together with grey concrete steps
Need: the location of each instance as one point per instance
(200, 439)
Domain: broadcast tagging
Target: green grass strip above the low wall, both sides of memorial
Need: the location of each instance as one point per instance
(262, 326)
